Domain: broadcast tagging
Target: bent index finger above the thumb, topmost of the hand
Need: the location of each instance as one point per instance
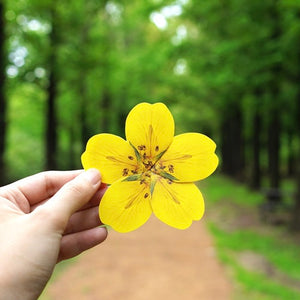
(42, 186)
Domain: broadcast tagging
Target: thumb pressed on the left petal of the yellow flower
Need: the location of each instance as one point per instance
(74, 194)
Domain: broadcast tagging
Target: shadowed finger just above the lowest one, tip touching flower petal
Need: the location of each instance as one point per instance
(83, 220)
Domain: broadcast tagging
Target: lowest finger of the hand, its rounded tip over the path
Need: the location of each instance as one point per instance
(76, 243)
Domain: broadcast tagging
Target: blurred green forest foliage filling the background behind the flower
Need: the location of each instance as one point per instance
(207, 61)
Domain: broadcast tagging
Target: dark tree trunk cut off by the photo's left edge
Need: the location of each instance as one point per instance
(2, 96)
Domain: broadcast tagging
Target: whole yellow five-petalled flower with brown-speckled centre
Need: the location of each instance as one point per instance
(152, 171)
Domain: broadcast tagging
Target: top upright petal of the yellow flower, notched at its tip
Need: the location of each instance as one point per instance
(150, 128)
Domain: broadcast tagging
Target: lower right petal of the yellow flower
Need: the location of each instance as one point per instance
(177, 204)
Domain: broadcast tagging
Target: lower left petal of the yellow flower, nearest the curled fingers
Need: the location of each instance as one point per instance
(125, 206)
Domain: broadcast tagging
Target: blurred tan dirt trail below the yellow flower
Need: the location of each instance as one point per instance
(153, 262)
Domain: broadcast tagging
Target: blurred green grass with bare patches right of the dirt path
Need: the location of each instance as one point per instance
(228, 205)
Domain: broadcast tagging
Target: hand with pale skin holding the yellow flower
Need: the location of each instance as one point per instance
(44, 219)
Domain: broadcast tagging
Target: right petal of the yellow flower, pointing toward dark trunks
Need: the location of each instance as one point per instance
(190, 157)
